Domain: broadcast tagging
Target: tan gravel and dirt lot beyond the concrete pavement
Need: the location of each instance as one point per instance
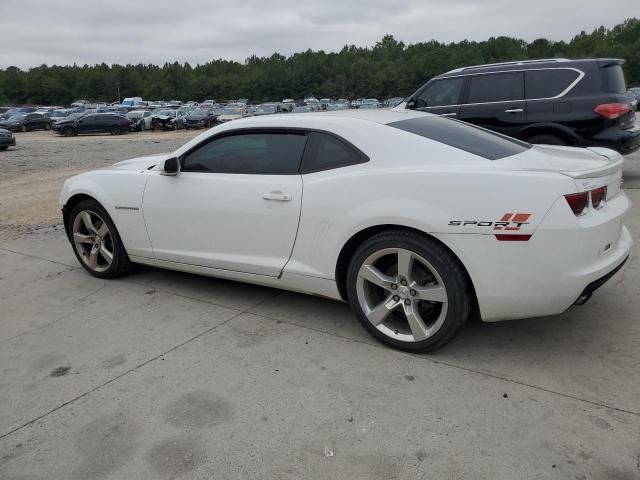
(33, 172)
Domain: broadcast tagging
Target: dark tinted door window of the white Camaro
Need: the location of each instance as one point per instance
(263, 153)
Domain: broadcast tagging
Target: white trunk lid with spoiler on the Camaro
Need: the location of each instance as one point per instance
(571, 161)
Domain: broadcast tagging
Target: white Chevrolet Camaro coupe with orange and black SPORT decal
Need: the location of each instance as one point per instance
(417, 221)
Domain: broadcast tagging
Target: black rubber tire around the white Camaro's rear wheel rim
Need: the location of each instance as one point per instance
(460, 299)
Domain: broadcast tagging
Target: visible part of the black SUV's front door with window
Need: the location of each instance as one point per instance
(441, 97)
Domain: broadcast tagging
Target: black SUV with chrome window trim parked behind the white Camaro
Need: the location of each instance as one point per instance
(555, 101)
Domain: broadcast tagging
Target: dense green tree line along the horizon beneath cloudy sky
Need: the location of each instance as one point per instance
(389, 68)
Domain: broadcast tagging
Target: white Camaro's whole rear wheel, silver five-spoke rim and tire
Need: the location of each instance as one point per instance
(408, 291)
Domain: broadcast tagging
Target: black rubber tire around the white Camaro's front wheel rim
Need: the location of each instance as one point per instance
(120, 264)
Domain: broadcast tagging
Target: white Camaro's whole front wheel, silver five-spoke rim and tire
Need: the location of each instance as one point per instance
(96, 242)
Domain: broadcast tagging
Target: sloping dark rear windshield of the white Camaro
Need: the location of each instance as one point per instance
(463, 136)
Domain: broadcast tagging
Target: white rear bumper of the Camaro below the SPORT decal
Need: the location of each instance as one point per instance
(547, 274)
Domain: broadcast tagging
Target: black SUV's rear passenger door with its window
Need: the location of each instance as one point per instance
(495, 101)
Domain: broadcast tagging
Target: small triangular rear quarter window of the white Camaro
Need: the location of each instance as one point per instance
(325, 152)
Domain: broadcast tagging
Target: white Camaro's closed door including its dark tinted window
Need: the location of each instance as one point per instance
(235, 204)
